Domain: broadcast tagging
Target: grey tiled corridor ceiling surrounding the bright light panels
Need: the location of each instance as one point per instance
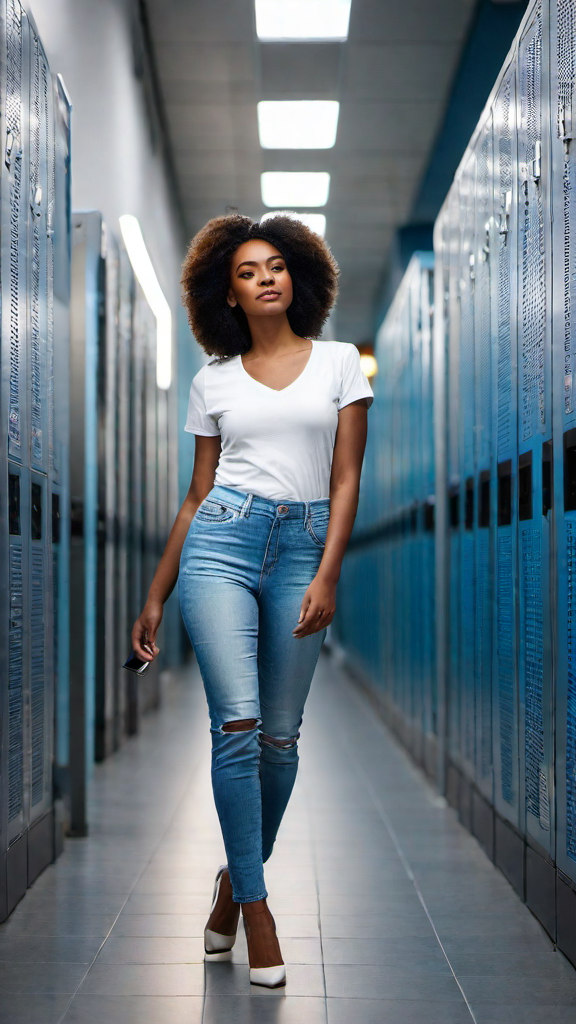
(392, 78)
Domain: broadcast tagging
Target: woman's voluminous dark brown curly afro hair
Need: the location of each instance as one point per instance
(224, 331)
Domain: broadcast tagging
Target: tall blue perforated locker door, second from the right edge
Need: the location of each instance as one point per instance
(534, 450)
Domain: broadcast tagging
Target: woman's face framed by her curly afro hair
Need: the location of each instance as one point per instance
(260, 282)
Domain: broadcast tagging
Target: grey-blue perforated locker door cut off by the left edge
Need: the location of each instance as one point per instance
(16, 478)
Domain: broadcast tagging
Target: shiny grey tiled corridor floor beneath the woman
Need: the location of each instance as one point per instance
(389, 912)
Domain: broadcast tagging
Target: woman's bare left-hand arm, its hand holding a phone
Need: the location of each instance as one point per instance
(207, 458)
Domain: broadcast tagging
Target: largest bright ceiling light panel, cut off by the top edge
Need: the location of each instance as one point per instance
(293, 20)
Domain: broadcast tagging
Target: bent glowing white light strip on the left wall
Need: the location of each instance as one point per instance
(142, 266)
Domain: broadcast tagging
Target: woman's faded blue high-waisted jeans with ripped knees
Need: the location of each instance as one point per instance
(245, 567)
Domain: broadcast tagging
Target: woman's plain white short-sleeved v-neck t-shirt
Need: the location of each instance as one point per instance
(277, 445)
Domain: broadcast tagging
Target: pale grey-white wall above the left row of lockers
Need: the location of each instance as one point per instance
(114, 168)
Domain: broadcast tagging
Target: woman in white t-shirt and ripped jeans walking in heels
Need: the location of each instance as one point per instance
(280, 425)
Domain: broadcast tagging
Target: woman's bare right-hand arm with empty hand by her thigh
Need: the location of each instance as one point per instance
(319, 605)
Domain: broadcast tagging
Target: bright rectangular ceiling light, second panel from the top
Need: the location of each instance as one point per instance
(298, 124)
